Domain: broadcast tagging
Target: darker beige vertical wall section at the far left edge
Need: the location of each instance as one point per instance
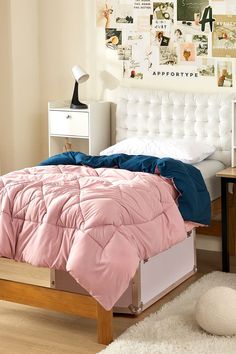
(19, 85)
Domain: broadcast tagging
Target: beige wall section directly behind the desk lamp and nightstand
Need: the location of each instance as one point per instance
(63, 44)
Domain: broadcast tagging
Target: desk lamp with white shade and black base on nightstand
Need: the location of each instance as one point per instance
(80, 76)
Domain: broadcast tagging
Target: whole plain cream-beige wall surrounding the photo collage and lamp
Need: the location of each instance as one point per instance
(42, 40)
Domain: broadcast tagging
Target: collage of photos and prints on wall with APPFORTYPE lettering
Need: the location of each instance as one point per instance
(178, 38)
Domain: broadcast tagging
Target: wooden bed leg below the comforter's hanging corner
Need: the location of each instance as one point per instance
(104, 325)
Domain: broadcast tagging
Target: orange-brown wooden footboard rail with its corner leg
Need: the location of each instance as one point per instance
(62, 301)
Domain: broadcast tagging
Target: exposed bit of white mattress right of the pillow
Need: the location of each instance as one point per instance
(208, 169)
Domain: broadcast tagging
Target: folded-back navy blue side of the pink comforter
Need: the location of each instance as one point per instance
(194, 200)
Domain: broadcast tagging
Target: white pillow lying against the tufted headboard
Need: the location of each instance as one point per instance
(186, 150)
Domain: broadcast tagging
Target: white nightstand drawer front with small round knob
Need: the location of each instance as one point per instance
(69, 123)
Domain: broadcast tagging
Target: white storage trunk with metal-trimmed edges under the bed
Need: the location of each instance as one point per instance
(153, 279)
